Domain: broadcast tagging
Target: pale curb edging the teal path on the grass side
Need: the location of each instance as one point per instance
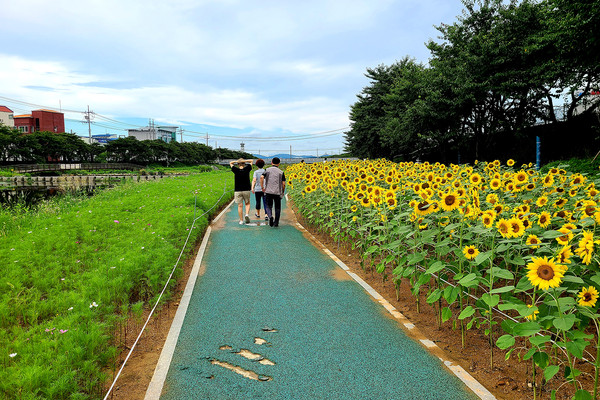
(155, 386)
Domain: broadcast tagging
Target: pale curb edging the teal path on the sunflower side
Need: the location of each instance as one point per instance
(472, 383)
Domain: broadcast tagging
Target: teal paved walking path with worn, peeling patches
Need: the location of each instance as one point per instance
(273, 317)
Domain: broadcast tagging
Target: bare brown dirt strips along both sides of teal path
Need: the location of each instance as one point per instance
(507, 380)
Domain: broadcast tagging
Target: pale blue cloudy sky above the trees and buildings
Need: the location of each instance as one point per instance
(273, 75)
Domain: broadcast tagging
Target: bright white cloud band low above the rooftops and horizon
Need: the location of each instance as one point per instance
(51, 83)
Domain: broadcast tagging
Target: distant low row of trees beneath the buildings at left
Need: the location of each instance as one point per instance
(41, 147)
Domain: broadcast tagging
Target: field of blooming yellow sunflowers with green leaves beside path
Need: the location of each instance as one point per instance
(496, 247)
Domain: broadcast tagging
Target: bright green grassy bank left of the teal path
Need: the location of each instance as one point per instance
(72, 269)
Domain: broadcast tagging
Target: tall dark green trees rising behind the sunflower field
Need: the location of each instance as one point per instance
(500, 69)
